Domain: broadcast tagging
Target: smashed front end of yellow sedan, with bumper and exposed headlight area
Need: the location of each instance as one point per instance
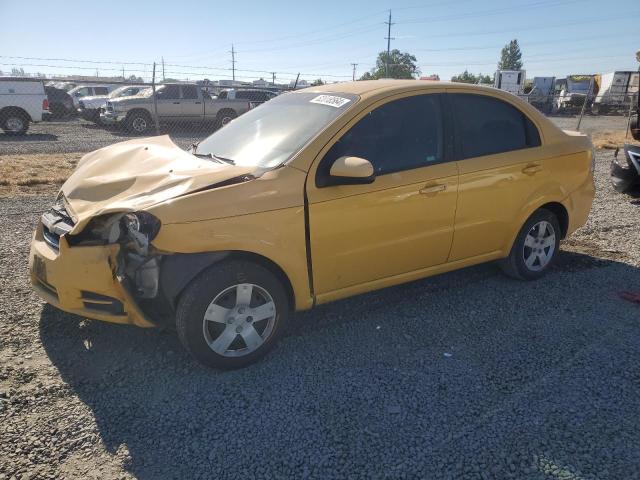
(108, 271)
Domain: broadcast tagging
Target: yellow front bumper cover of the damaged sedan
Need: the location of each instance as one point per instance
(82, 281)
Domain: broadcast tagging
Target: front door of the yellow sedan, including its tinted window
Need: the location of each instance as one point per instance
(400, 223)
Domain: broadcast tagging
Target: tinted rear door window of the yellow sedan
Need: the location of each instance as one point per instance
(487, 126)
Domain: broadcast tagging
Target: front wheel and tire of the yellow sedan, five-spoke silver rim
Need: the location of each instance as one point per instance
(216, 318)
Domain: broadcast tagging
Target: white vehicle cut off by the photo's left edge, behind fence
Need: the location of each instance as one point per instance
(22, 101)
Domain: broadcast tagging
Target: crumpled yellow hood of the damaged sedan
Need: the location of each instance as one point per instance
(136, 174)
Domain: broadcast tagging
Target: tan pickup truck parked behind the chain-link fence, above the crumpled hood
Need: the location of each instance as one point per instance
(178, 103)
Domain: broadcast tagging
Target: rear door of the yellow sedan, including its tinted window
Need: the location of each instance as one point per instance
(501, 167)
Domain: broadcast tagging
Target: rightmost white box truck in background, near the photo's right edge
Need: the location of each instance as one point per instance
(617, 90)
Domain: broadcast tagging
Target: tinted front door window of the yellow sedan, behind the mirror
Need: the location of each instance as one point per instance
(400, 135)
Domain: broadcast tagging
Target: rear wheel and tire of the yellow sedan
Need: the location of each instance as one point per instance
(535, 248)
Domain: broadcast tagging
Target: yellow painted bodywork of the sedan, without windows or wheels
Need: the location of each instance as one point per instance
(330, 242)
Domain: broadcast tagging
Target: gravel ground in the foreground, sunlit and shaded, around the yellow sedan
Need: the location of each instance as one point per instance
(465, 375)
